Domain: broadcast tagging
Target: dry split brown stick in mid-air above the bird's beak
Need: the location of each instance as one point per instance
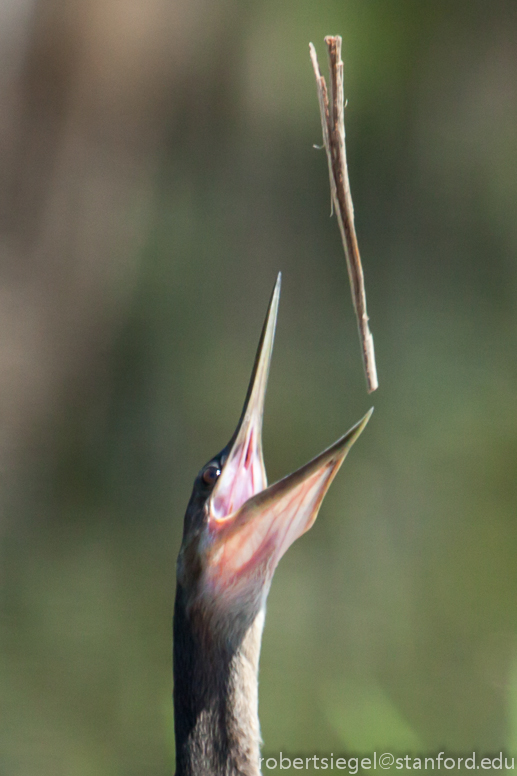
(333, 126)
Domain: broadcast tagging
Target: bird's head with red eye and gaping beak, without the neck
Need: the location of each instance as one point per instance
(236, 527)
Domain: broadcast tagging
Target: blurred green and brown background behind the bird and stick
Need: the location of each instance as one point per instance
(157, 169)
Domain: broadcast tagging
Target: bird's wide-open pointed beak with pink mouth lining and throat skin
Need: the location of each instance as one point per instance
(251, 525)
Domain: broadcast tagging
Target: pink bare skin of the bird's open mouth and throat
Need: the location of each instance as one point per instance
(252, 526)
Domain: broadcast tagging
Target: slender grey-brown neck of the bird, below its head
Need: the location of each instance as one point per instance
(215, 695)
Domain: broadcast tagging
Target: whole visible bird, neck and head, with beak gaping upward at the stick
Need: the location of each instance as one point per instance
(236, 530)
